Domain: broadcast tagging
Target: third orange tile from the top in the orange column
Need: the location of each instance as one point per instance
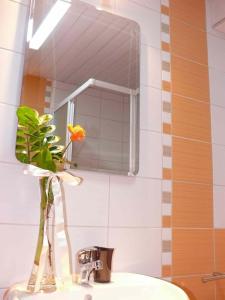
(190, 79)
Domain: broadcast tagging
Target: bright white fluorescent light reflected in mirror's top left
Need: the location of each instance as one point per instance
(46, 27)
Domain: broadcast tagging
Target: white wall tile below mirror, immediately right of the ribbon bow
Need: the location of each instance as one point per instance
(87, 204)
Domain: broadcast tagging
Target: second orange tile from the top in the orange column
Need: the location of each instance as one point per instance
(188, 42)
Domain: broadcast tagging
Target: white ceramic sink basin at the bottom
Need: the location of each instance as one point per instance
(124, 286)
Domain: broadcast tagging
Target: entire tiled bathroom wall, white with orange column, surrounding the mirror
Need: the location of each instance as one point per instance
(168, 221)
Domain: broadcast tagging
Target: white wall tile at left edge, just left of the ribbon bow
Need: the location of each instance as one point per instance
(20, 196)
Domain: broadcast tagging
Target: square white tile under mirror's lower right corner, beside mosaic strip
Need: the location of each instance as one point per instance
(140, 198)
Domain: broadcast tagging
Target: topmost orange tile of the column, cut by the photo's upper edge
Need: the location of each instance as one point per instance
(189, 11)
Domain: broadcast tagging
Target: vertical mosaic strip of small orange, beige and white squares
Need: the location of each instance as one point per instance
(167, 142)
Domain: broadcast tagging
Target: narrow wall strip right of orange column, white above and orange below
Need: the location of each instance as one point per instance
(216, 59)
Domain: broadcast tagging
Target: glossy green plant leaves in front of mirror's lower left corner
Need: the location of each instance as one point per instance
(35, 143)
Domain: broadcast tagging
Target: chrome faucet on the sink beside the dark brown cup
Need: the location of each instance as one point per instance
(88, 261)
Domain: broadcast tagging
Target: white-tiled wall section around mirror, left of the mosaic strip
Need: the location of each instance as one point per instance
(117, 211)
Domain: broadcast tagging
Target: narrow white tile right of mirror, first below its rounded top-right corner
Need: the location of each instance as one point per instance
(150, 67)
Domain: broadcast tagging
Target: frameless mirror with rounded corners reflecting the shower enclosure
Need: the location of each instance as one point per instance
(85, 70)
